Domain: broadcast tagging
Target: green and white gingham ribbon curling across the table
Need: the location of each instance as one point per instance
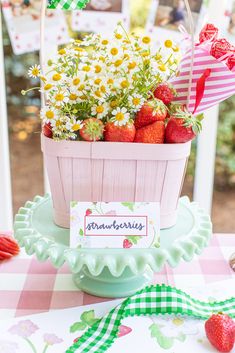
(153, 300)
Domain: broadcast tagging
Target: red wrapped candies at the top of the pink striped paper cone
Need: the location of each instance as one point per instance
(220, 48)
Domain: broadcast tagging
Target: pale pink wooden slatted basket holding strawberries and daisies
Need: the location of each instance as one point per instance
(107, 171)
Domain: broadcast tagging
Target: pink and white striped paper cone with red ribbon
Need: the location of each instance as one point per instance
(212, 81)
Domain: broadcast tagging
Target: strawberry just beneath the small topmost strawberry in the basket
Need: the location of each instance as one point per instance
(152, 111)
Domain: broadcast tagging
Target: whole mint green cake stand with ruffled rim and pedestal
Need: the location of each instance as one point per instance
(111, 272)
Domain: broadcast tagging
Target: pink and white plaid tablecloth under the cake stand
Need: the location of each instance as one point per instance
(28, 287)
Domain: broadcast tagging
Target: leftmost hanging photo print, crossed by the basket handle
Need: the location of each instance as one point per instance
(23, 23)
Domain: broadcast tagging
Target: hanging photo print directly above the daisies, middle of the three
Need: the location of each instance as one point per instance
(103, 15)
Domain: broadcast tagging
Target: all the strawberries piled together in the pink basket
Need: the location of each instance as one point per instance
(158, 121)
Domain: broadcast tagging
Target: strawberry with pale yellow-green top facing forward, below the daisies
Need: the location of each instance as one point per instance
(92, 130)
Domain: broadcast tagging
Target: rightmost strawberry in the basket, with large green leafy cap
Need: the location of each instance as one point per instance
(182, 126)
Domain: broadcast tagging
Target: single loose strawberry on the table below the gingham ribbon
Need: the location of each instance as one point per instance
(220, 331)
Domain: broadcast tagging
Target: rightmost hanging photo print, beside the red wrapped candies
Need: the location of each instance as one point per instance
(167, 15)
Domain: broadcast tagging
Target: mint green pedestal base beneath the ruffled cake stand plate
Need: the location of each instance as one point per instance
(106, 285)
